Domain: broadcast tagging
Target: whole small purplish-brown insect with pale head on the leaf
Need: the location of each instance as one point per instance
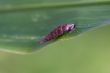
(57, 32)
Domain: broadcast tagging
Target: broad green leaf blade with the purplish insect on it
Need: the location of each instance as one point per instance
(24, 23)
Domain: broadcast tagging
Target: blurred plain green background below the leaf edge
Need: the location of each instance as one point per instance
(87, 53)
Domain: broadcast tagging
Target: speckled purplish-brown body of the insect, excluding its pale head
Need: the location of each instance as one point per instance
(58, 31)
